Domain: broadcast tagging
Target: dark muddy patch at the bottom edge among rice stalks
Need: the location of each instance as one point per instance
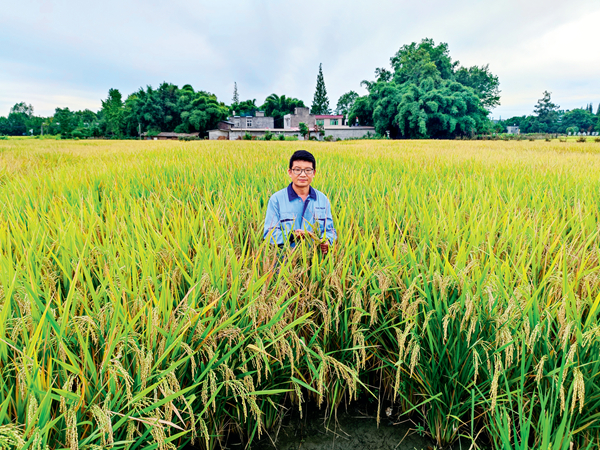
(355, 429)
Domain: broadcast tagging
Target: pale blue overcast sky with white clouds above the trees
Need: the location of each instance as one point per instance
(69, 53)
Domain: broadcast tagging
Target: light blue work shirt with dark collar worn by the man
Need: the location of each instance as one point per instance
(287, 212)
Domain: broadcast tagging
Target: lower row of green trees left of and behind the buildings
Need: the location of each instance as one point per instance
(149, 110)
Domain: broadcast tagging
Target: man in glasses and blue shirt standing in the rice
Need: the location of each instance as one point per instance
(299, 211)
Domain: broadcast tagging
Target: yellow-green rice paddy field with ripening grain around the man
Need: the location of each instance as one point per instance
(140, 308)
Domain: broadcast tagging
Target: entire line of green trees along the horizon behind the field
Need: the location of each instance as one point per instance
(423, 94)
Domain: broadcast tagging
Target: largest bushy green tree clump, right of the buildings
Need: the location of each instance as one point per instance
(427, 95)
